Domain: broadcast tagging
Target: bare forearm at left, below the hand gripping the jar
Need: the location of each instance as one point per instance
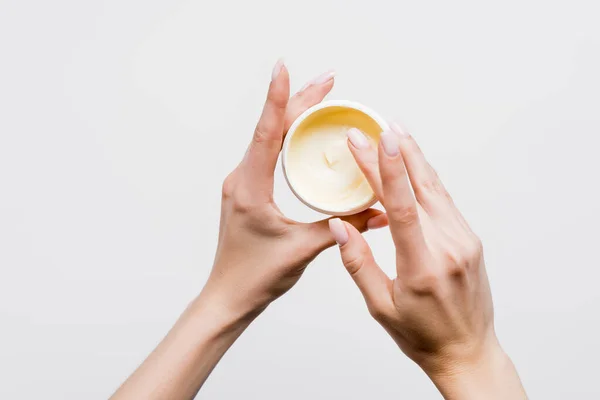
(182, 362)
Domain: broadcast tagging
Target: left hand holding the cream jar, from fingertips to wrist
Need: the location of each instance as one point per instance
(261, 254)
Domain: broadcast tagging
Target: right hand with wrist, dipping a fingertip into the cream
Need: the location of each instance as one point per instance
(439, 307)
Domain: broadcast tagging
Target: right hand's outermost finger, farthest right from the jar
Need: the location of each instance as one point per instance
(429, 190)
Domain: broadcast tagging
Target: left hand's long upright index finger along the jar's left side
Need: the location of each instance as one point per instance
(261, 159)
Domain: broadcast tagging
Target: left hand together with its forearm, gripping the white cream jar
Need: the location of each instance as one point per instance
(260, 255)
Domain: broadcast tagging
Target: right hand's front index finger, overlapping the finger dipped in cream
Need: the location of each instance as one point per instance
(400, 203)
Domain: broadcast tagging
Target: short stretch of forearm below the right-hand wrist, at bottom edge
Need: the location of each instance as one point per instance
(492, 378)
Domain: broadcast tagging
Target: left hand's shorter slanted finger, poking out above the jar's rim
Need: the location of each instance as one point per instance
(313, 93)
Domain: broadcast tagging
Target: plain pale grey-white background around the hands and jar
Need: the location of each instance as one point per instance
(120, 118)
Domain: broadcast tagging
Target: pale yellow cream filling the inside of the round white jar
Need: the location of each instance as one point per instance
(319, 164)
